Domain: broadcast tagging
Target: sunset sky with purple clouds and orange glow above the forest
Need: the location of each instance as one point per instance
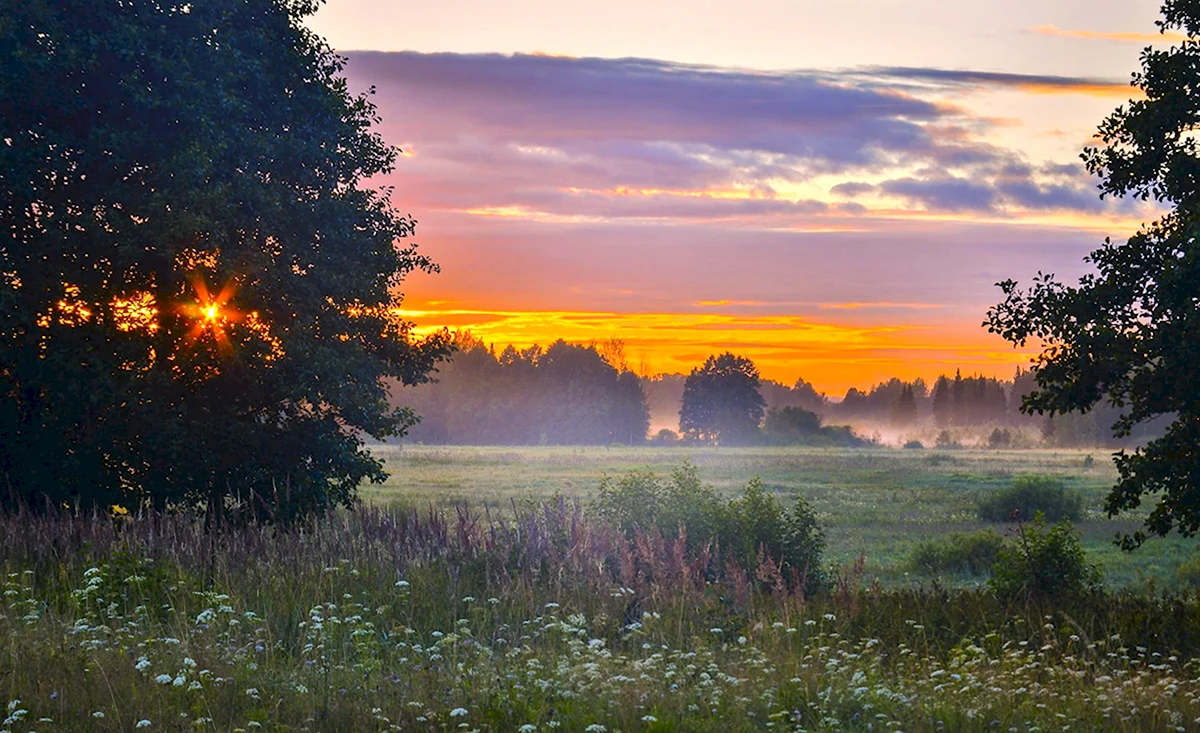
(830, 189)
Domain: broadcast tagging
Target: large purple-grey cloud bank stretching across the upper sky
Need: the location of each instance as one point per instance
(566, 141)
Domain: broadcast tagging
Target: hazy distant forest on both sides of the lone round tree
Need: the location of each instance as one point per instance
(587, 395)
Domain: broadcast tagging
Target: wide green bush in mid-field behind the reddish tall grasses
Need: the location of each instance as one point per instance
(746, 531)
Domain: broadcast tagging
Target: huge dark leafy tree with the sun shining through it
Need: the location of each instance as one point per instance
(197, 297)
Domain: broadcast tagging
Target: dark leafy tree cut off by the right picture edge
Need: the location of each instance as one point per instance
(1130, 333)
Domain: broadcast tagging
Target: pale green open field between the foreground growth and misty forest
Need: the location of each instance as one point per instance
(877, 503)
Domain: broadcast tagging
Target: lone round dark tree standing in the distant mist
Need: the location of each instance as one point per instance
(722, 401)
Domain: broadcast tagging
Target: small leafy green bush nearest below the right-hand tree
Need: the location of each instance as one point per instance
(1041, 562)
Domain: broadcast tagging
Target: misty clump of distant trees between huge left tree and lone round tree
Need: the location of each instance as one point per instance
(563, 395)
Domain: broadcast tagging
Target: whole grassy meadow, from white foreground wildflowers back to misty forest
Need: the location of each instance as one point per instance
(477, 591)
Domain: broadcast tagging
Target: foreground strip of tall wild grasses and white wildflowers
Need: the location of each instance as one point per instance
(397, 621)
